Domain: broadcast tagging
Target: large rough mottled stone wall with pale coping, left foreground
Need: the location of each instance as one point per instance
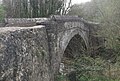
(24, 54)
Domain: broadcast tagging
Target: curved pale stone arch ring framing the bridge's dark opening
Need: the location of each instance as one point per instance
(64, 39)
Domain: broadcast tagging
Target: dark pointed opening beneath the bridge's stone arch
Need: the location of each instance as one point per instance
(75, 47)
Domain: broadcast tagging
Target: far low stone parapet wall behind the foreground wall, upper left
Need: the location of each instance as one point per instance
(26, 22)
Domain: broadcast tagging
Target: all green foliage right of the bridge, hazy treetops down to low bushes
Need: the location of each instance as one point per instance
(106, 65)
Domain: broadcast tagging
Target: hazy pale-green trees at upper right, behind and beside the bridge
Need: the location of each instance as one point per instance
(108, 14)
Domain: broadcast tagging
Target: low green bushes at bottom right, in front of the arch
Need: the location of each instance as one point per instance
(98, 69)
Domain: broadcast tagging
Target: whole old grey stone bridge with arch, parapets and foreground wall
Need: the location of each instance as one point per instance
(34, 51)
